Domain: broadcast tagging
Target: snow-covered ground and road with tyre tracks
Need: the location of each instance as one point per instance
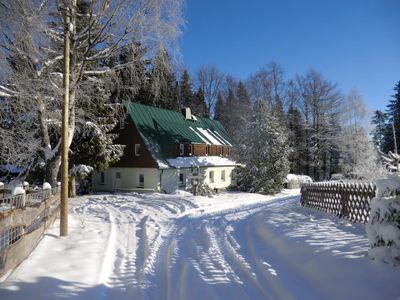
(232, 246)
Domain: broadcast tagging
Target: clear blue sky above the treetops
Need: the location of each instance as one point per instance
(354, 43)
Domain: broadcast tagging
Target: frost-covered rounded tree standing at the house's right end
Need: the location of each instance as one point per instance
(264, 151)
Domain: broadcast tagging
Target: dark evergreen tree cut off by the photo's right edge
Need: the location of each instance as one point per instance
(393, 122)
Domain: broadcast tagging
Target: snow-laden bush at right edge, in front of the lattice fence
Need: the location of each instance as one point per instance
(383, 228)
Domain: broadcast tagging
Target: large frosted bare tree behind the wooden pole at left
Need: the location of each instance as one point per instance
(31, 41)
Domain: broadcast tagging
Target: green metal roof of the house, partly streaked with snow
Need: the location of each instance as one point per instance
(161, 129)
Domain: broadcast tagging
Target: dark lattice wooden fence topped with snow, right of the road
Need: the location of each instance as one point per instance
(344, 199)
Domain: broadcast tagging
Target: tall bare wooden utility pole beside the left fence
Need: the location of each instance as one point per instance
(65, 128)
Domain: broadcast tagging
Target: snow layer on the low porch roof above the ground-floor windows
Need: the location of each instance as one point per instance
(201, 161)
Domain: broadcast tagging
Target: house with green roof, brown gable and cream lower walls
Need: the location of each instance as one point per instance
(163, 146)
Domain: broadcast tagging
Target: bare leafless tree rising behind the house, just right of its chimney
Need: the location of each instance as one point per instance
(210, 81)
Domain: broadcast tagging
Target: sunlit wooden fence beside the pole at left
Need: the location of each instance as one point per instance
(23, 220)
